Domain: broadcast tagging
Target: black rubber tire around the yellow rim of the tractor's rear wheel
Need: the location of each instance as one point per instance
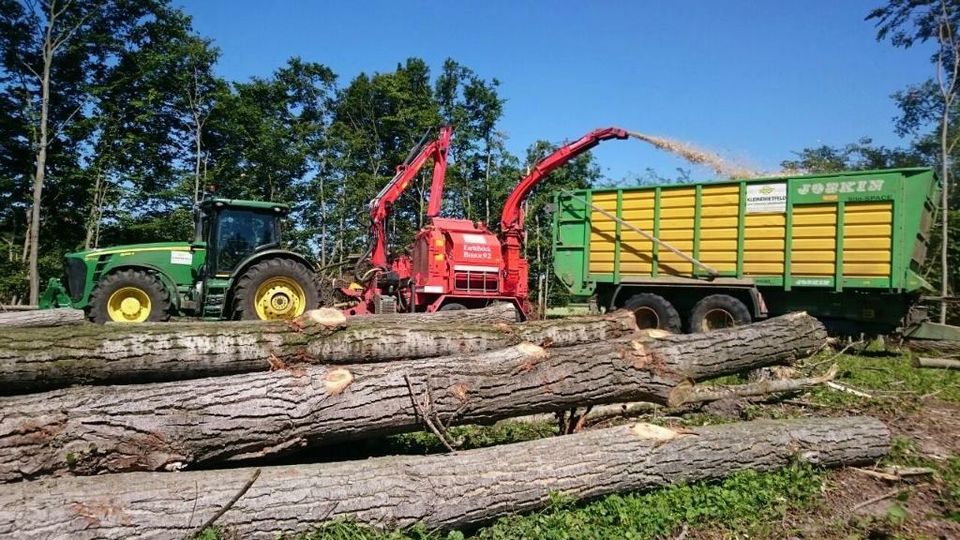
(244, 292)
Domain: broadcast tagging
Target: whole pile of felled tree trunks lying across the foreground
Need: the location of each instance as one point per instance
(150, 430)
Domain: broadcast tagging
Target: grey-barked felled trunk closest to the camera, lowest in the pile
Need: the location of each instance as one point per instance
(440, 491)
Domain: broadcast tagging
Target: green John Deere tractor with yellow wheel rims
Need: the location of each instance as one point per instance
(233, 269)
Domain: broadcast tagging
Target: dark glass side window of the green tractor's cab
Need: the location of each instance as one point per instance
(239, 233)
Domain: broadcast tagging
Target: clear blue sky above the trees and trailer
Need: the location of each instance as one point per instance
(753, 80)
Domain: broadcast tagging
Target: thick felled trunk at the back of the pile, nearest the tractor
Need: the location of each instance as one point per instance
(32, 360)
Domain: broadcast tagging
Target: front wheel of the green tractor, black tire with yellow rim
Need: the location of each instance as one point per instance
(129, 296)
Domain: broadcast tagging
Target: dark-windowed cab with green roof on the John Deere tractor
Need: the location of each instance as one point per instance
(233, 230)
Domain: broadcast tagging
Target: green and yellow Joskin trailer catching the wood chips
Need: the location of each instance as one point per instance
(846, 247)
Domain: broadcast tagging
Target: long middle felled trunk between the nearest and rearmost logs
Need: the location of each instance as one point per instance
(174, 425)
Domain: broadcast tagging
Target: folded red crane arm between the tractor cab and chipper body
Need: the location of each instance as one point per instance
(380, 205)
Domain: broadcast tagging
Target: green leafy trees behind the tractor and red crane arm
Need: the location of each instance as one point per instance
(147, 122)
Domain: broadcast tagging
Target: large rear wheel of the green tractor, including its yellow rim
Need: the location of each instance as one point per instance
(275, 289)
